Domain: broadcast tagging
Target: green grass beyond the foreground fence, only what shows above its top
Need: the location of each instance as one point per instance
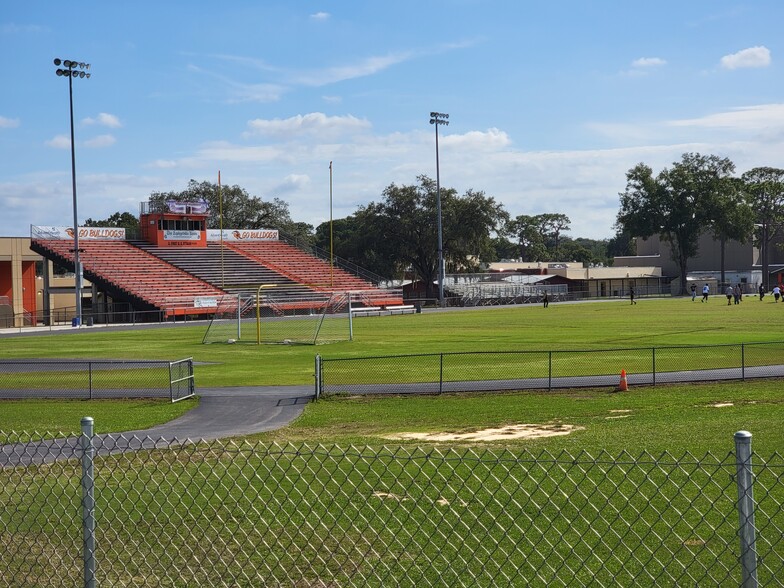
(656, 418)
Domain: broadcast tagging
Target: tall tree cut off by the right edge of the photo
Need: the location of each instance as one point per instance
(763, 188)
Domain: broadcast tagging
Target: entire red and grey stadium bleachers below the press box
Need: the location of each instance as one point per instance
(169, 279)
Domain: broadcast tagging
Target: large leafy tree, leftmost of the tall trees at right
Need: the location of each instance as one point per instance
(676, 205)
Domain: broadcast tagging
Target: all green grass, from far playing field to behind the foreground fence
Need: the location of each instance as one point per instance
(337, 496)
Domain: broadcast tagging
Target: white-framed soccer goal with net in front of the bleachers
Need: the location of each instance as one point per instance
(266, 318)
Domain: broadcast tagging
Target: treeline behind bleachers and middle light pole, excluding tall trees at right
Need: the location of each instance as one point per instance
(397, 237)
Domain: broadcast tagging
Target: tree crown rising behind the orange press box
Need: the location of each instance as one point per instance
(240, 209)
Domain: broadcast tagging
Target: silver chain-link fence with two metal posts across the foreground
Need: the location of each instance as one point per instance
(254, 514)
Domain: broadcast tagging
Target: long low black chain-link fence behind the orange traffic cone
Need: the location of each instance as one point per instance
(434, 373)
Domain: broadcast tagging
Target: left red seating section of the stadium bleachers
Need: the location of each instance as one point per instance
(124, 268)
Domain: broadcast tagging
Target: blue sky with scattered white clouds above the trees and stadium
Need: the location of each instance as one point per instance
(550, 102)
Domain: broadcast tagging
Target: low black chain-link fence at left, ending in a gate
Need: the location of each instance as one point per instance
(42, 378)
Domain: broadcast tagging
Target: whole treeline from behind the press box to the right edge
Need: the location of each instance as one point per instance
(397, 235)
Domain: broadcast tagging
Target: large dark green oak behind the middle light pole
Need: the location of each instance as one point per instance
(398, 233)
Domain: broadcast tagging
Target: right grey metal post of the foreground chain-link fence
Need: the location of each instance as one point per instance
(746, 529)
